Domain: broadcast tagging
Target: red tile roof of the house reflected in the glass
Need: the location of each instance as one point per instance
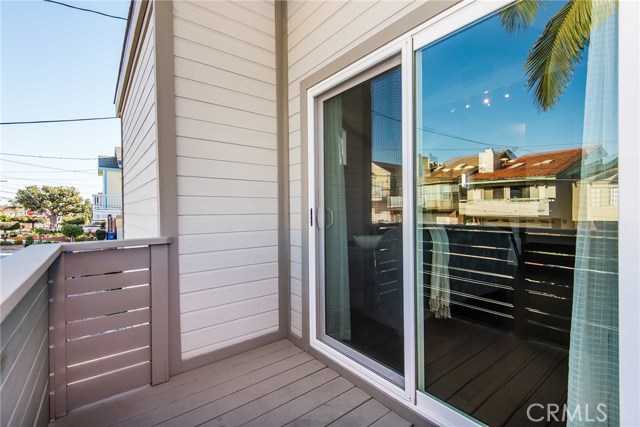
(550, 163)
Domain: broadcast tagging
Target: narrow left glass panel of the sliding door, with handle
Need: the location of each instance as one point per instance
(362, 233)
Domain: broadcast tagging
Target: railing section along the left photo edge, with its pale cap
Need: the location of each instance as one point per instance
(24, 370)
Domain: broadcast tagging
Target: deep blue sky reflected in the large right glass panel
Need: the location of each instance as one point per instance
(473, 89)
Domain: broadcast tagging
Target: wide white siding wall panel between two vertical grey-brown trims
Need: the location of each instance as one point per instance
(227, 175)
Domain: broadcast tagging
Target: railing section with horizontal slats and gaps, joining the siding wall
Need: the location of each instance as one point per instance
(109, 312)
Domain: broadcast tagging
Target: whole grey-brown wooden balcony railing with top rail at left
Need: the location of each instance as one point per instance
(77, 325)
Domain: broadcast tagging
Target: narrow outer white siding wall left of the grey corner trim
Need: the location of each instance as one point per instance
(139, 143)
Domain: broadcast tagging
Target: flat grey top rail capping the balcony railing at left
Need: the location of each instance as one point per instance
(20, 272)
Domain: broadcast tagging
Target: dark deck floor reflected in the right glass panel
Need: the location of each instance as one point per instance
(491, 374)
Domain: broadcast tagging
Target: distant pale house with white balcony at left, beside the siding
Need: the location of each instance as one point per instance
(109, 201)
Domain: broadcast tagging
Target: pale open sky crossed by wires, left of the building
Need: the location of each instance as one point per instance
(58, 63)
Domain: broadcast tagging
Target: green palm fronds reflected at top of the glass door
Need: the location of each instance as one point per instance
(551, 61)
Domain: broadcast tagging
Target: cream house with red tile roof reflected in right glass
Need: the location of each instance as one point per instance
(534, 189)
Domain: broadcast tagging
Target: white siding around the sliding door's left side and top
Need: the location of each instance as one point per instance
(320, 32)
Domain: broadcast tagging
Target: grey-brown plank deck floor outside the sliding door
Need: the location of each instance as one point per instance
(274, 385)
